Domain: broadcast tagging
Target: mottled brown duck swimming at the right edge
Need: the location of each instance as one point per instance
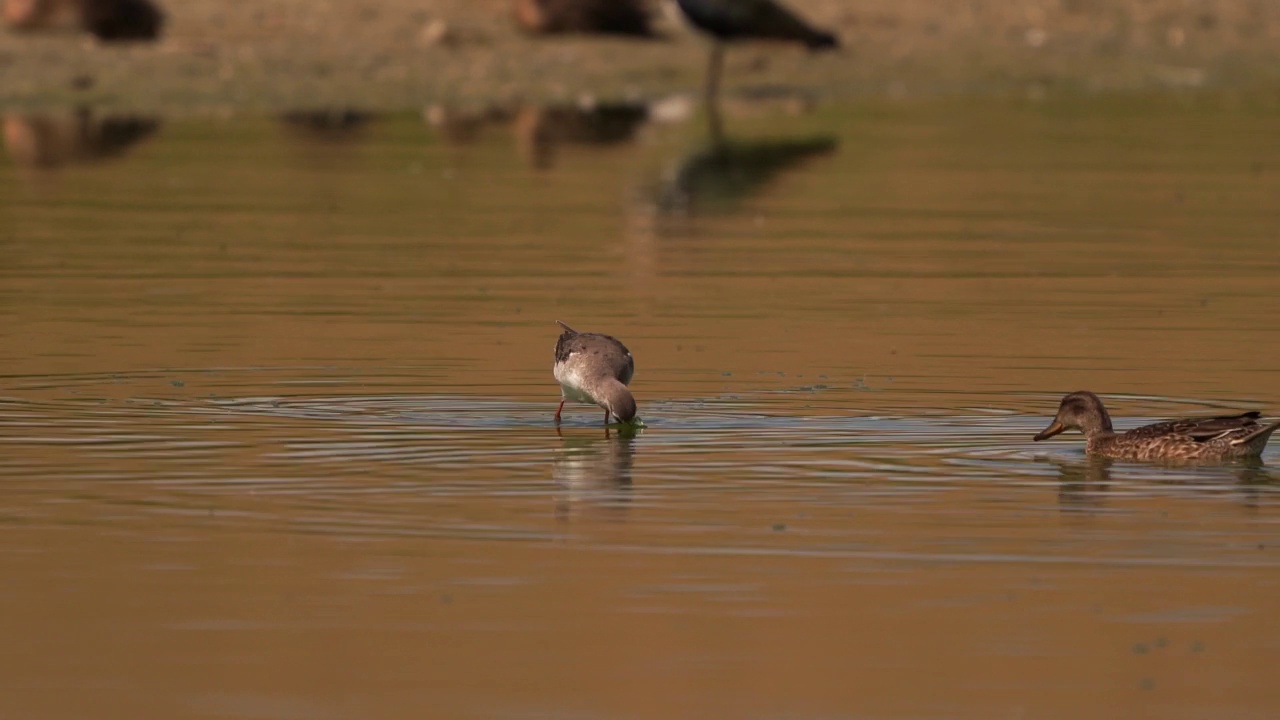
(1197, 439)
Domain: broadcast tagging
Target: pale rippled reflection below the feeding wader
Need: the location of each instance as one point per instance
(593, 475)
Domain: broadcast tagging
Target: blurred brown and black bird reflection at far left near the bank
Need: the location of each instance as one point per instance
(45, 142)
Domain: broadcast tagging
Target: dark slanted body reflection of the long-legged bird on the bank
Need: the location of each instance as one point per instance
(715, 180)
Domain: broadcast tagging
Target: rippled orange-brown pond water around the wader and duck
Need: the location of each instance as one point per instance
(276, 416)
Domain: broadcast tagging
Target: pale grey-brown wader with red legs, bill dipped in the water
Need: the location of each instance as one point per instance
(595, 370)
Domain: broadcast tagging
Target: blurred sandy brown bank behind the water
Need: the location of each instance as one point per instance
(400, 54)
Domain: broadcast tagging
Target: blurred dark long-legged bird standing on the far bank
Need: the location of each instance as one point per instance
(729, 21)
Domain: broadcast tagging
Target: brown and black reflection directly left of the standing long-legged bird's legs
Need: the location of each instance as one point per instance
(541, 131)
